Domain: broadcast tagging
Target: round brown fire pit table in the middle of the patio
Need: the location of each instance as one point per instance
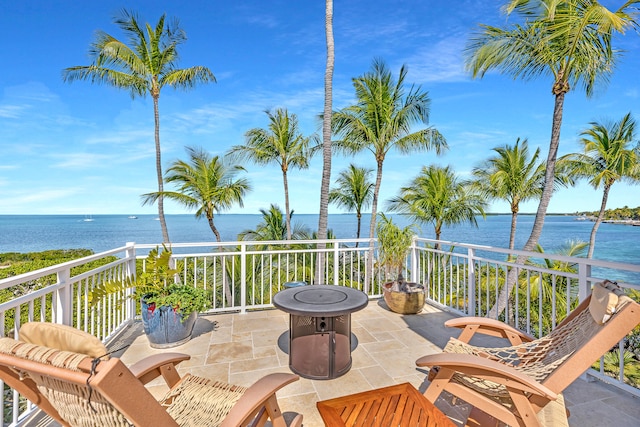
(320, 328)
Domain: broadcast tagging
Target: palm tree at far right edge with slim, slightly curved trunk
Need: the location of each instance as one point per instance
(608, 157)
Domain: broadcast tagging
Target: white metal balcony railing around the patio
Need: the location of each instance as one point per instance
(243, 276)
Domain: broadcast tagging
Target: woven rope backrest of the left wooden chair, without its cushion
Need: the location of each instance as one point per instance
(76, 389)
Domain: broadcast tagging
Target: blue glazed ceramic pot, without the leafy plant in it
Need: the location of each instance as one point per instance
(164, 327)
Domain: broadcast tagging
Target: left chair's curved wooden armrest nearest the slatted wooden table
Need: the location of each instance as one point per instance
(261, 393)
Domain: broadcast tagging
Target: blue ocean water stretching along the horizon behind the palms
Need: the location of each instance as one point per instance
(30, 233)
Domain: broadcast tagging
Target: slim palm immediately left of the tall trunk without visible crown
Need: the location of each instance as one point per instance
(283, 144)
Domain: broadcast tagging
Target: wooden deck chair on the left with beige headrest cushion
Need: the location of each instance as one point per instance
(77, 389)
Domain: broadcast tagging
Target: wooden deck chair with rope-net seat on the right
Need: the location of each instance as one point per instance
(521, 385)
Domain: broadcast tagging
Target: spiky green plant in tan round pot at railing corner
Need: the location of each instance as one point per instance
(393, 246)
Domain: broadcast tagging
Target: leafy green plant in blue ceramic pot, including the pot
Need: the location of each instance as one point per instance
(169, 309)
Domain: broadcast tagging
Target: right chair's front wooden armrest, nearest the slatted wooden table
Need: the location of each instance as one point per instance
(480, 367)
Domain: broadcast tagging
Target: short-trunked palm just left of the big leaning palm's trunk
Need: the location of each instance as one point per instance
(513, 176)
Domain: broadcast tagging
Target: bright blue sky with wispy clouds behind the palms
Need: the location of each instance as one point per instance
(88, 149)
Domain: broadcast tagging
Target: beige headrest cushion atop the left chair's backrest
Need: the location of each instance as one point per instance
(62, 337)
